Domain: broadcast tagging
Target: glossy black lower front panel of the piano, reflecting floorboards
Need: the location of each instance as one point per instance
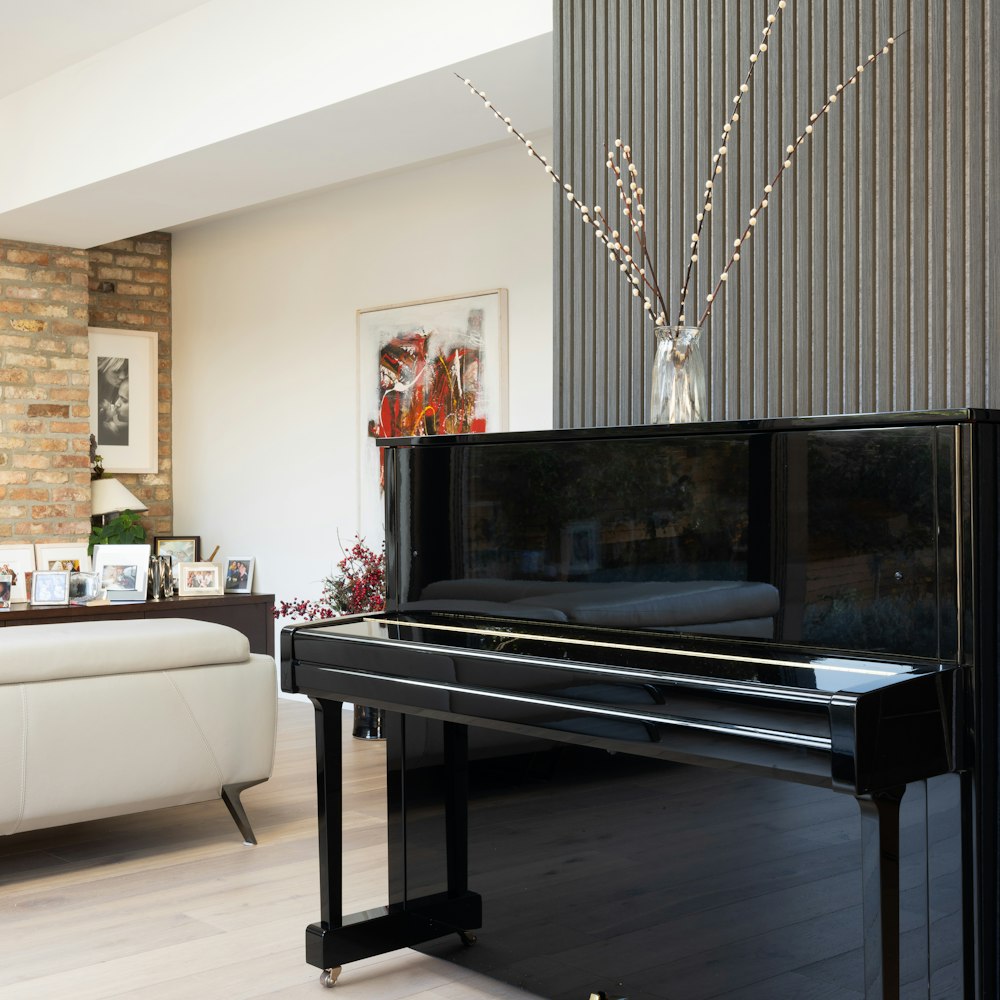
(666, 882)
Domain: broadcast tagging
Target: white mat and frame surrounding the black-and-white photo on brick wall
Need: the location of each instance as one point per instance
(139, 347)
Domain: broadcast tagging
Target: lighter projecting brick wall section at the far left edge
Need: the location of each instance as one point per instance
(44, 379)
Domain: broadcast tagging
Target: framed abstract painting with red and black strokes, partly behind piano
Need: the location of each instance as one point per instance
(436, 366)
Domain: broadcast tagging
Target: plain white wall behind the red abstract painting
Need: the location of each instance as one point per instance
(265, 414)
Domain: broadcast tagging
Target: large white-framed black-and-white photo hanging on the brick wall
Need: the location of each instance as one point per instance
(124, 399)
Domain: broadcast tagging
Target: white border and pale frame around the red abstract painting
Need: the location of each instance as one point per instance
(442, 316)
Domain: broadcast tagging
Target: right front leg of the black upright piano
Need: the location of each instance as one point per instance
(880, 892)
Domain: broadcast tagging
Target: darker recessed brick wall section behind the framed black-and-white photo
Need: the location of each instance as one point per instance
(130, 290)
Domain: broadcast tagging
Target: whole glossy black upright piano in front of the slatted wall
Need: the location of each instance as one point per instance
(691, 711)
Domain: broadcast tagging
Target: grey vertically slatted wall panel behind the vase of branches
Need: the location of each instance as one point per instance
(869, 284)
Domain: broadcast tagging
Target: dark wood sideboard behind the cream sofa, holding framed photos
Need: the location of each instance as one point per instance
(251, 614)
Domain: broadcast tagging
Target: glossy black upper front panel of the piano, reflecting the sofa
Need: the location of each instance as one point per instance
(811, 533)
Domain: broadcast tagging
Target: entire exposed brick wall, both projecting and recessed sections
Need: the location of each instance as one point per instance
(48, 298)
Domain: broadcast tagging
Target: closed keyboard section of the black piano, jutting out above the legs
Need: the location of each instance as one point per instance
(858, 724)
